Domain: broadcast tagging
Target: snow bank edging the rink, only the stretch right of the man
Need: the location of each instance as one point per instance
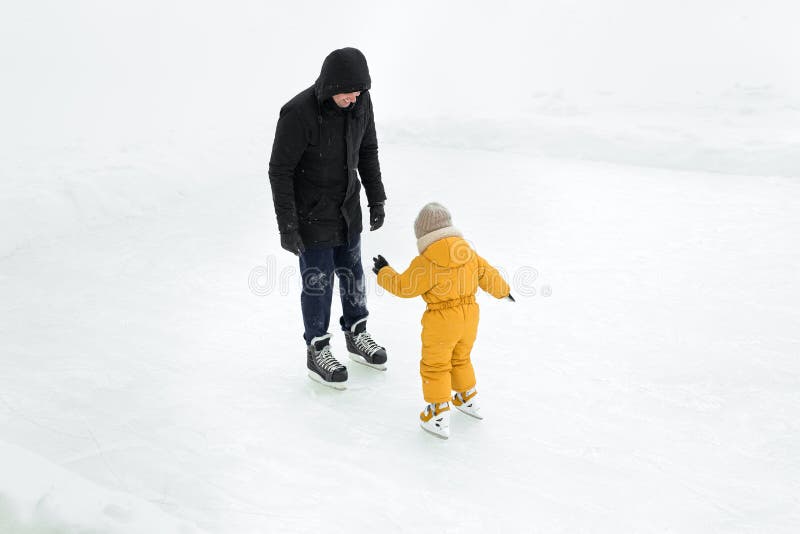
(743, 131)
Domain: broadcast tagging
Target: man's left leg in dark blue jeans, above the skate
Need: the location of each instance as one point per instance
(316, 271)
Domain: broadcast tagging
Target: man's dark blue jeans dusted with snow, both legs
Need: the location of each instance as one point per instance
(317, 268)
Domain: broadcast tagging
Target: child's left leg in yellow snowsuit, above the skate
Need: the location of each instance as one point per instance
(437, 350)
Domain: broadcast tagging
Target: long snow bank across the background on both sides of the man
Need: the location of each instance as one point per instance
(67, 185)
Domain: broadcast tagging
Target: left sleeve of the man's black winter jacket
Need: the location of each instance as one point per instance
(287, 149)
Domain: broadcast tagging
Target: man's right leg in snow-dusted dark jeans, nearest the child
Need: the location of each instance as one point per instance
(352, 287)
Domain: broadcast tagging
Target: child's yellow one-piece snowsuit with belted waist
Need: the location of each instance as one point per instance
(447, 274)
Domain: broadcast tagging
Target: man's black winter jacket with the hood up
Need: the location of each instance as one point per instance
(317, 149)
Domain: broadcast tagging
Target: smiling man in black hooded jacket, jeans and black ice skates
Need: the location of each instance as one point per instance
(324, 135)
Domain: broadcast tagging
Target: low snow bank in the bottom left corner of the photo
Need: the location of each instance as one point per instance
(37, 496)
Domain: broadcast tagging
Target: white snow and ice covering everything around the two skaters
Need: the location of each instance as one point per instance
(152, 374)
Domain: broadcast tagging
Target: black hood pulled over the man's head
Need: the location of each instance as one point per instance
(343, 71)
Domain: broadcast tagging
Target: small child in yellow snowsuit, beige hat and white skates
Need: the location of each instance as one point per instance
(447, 274)
